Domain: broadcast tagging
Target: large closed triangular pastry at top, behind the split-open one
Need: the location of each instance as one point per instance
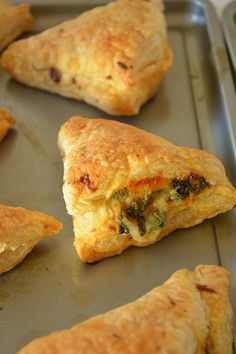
(112, 57)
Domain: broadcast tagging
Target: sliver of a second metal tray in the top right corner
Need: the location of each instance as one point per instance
(229, 27)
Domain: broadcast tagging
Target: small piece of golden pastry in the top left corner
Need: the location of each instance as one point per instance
(14, 20)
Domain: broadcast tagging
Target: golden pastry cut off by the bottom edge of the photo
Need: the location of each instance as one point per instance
(189, 314)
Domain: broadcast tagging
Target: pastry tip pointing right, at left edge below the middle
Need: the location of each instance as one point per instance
(20, 231)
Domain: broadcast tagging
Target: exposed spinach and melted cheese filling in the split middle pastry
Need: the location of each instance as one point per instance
(143, 216)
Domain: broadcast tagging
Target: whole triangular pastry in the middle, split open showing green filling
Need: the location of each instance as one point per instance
(124, 186)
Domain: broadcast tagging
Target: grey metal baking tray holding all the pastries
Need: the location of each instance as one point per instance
(51, 289)
